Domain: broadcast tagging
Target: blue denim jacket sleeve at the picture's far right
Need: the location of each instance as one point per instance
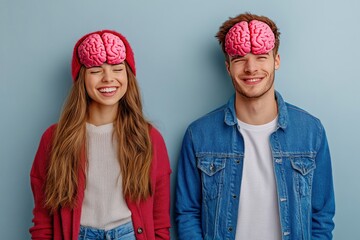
(323, 200)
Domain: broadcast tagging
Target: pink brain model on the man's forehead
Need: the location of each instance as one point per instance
(255, 37)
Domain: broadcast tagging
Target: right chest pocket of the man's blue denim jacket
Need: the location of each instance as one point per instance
(303, 167)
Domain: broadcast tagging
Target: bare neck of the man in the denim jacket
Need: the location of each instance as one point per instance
(256, 111)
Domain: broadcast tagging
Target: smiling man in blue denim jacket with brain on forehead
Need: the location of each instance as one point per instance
(257, 167)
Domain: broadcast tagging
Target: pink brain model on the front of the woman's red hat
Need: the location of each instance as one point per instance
(96, 50)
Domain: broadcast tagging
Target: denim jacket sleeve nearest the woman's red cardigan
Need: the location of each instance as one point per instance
(188, 193)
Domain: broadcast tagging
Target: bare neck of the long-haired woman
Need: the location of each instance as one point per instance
(101, 115)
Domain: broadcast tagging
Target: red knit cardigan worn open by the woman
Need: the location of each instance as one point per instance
(150, 218)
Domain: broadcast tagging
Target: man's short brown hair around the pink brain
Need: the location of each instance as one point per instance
(247, 17)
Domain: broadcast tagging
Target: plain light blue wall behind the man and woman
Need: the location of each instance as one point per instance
(181, 74)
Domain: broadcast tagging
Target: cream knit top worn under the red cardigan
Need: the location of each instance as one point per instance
(104, 206)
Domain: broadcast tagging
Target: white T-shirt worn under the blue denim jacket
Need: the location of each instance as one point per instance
(258, 216)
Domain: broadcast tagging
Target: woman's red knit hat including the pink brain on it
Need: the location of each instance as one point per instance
(100, 47)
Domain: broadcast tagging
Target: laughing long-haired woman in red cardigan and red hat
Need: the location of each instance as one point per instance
(101, 172)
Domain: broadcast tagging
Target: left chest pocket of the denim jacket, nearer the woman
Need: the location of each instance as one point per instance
(212, 175)
